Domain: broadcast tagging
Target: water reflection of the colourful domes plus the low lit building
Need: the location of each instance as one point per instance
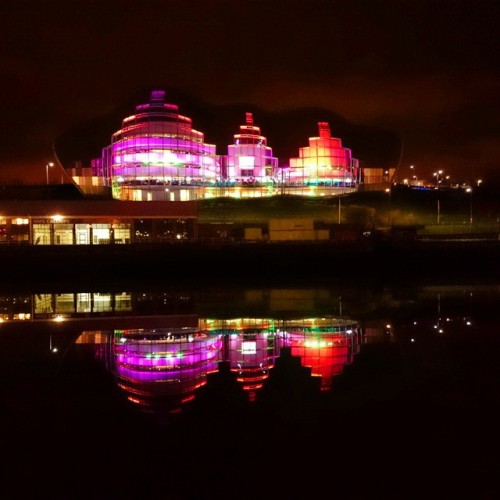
(162, 351)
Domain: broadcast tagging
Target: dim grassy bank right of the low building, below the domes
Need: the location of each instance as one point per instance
(402, 206)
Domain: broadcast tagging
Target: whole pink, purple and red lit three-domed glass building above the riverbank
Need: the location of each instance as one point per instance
(158, 156)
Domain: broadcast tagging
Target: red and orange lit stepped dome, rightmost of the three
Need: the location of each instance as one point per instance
(325, 162)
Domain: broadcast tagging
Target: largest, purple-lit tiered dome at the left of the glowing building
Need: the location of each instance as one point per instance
(157, 155)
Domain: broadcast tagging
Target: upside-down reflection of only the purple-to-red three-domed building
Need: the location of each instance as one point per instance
(161, 369)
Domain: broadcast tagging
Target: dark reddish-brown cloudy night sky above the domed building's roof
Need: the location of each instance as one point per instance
(427, 70)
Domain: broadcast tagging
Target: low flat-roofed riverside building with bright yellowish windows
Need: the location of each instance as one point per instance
(96, 222)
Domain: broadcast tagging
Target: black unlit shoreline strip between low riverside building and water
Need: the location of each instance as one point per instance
(200, 264)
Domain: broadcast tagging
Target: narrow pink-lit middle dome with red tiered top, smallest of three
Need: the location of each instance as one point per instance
(249, 159)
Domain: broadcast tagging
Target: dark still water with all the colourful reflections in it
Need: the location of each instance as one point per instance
(341, 392)
